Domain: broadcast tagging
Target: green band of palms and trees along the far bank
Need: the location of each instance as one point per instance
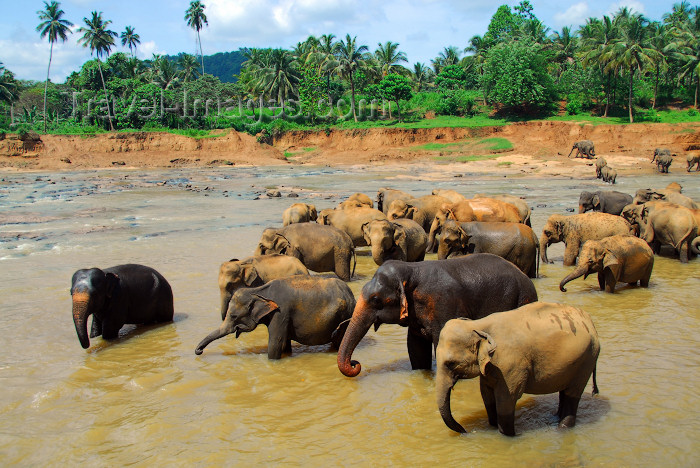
(624, 64)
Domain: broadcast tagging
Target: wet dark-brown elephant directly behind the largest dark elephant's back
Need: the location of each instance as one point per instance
(514, 242)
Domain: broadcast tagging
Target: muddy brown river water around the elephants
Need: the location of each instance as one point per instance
(146, 399)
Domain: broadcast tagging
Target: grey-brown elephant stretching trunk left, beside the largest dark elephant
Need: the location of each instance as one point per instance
(310, 310)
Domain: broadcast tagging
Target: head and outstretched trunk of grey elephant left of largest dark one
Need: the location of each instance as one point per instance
(246, 311)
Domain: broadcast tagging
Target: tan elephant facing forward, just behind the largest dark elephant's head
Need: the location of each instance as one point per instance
(401, 239)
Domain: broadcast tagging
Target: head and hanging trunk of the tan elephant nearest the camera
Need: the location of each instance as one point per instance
(461, 354)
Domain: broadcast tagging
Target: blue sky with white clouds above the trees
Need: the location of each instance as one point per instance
(421, 27)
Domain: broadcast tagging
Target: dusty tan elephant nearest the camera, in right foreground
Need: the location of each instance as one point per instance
(538, 348)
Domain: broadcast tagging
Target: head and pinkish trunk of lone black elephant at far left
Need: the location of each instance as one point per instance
(91, 290)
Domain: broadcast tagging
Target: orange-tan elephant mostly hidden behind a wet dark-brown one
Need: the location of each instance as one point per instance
(475, 209)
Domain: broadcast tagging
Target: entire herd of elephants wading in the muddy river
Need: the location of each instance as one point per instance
(475, 306)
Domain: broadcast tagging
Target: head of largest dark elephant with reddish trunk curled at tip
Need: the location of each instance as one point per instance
(382, 300)
